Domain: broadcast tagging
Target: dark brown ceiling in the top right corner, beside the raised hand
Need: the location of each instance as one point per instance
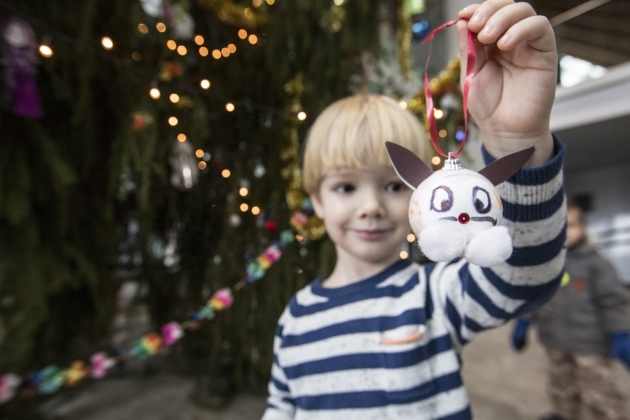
(600, 35)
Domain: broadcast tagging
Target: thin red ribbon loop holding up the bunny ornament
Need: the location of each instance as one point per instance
(470, 72)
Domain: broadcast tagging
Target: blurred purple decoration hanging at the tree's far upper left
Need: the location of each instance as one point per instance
(19, 55)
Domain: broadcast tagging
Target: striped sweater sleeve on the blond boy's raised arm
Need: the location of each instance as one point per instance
(475, 298)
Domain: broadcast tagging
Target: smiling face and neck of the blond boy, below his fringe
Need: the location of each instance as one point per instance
(365, 212)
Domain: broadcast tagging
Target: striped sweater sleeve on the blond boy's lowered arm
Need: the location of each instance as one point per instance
(280, 404)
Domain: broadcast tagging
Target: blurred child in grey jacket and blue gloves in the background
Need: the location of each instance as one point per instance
(583, 327)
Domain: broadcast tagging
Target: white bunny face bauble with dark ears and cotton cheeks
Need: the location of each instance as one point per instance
(455, 212)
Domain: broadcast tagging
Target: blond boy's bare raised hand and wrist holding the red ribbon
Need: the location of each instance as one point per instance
(514, 84)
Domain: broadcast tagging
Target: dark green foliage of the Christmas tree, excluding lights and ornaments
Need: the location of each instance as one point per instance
(70, 182)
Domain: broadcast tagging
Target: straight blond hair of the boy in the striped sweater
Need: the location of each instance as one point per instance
(351, 133)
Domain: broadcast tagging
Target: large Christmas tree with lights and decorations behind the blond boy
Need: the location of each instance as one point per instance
(160, 145)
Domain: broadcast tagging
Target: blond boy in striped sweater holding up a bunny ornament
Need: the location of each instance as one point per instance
(379, 338)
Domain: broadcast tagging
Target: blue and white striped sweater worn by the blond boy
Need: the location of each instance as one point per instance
(334, 357)
